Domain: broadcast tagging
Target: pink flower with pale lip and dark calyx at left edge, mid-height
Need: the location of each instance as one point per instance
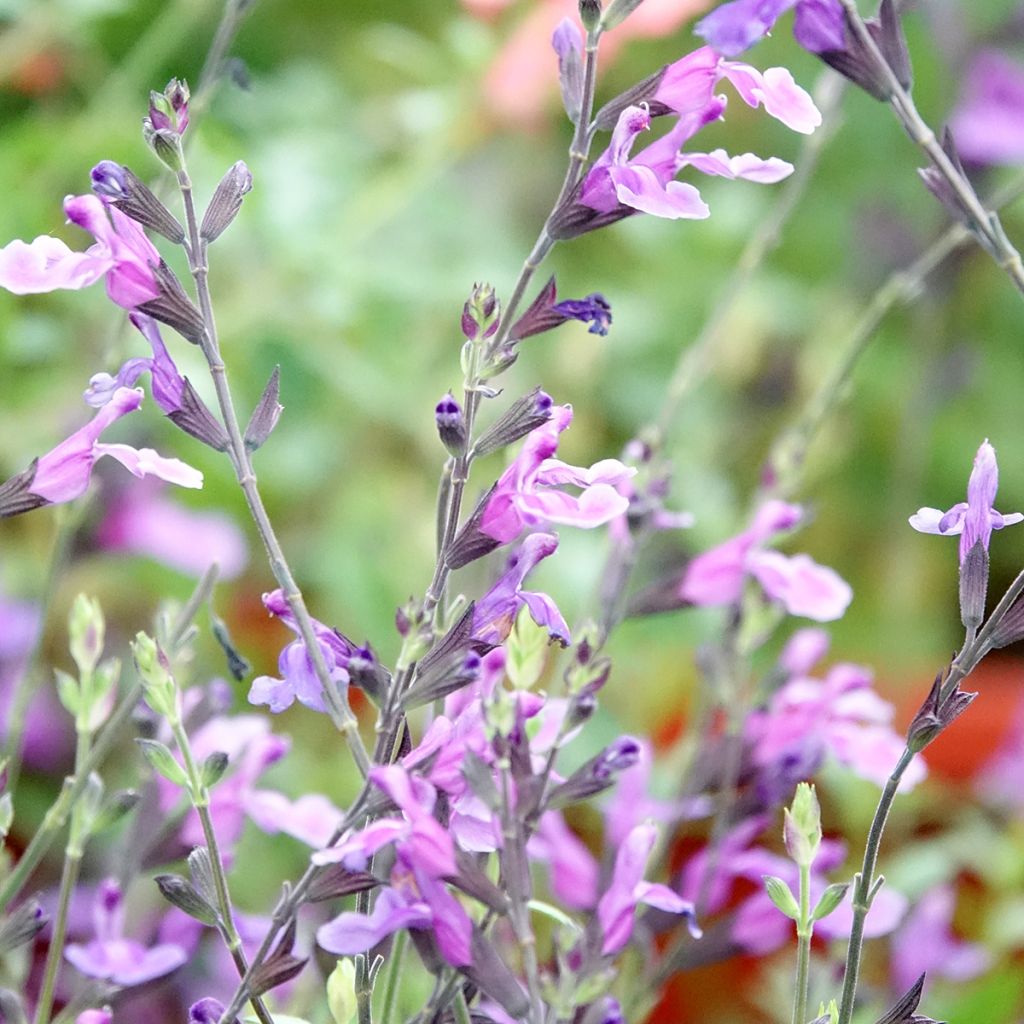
(64, 475)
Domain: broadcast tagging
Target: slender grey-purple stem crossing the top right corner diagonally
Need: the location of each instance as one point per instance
(984, 223)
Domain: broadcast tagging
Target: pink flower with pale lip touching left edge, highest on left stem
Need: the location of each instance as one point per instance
(122, 253)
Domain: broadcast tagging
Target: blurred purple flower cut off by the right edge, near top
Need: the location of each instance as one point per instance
(989, 120)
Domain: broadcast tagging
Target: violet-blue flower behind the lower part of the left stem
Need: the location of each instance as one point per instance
(298, 676)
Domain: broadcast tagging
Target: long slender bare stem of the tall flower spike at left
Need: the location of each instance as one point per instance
(336, 700)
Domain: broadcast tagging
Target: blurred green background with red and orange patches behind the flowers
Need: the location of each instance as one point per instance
(402, 152)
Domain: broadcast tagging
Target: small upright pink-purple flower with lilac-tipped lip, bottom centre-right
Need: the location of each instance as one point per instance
(618, 907)
